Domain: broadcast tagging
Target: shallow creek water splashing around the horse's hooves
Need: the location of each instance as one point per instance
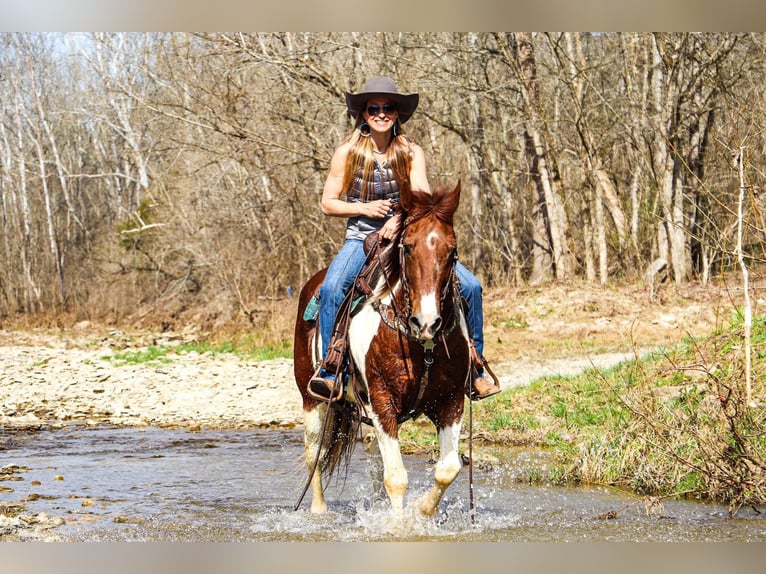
(124, 484)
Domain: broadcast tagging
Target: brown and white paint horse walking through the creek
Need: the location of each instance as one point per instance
(408, 354)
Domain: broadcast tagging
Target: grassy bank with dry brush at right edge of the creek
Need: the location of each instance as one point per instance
(668, 424)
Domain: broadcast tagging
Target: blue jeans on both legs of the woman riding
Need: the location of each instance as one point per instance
(345, 267)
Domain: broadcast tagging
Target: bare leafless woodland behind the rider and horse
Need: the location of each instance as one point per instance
(165, 178)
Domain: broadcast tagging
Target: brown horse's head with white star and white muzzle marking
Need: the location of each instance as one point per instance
(428, 254)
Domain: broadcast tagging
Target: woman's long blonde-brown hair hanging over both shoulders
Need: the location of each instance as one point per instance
(361, 159)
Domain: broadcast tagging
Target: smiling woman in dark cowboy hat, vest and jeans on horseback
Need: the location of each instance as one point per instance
(369, 168)
